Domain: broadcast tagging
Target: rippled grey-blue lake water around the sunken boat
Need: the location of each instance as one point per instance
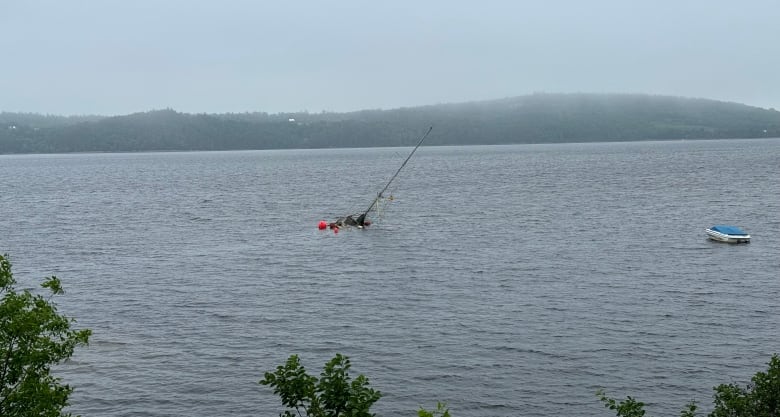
(503, 280)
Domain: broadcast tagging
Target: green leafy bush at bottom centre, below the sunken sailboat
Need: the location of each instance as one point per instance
(334, 394)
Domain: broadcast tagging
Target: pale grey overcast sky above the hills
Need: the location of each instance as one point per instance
(113, 57)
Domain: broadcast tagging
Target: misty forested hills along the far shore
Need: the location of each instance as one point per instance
(537, 118)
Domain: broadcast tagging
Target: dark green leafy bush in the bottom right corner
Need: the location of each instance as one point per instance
(760, 398)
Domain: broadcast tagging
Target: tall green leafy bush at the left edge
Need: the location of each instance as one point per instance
(33, 337)
